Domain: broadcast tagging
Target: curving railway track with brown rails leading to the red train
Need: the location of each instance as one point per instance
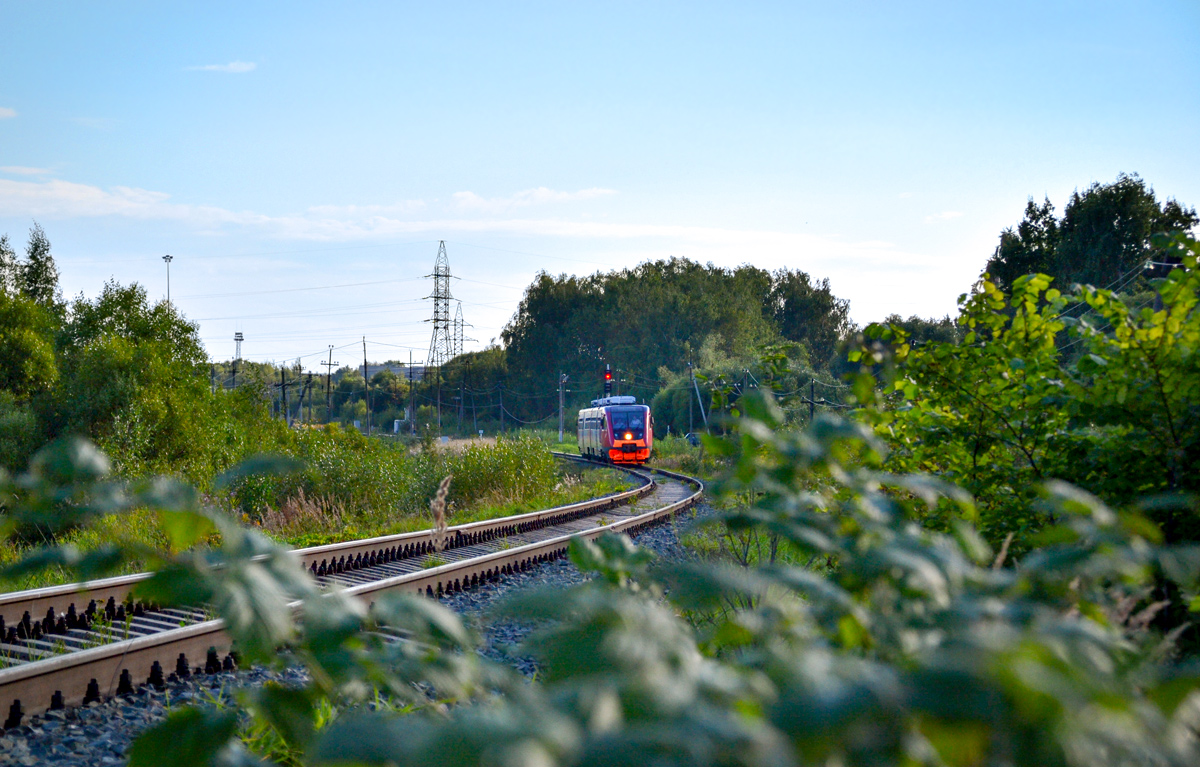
(70, 645)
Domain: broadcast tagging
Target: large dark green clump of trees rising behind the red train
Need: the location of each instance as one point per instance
(662, 315)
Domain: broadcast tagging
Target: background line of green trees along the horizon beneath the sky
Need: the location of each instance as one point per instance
(121, 369)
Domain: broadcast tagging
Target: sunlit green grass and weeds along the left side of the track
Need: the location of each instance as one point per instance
(358, 488)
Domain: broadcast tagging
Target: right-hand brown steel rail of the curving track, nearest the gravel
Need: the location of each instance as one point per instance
(80, 678)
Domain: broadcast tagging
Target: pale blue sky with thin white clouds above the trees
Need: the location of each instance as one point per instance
(283, 151)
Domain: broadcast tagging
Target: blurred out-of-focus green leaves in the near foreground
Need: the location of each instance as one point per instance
(916, 649)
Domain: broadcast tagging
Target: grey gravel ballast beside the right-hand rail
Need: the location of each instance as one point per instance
(101, 734)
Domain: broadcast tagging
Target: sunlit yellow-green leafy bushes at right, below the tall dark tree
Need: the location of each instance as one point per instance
(1007, 408)
